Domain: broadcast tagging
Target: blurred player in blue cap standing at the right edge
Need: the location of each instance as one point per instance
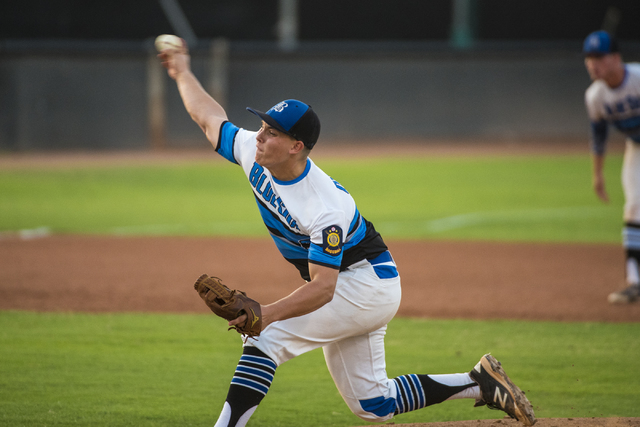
(614, 98)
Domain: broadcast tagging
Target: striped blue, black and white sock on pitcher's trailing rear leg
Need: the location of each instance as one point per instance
(417, 391)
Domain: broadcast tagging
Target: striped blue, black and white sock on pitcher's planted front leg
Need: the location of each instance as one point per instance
(249, 385)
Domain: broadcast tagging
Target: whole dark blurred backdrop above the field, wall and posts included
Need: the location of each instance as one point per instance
(83, 75)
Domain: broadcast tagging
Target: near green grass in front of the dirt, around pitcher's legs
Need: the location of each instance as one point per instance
(169, 370)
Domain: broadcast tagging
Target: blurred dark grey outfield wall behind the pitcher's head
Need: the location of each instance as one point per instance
(86, 98)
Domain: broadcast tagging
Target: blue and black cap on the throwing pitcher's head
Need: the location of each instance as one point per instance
(295, 118)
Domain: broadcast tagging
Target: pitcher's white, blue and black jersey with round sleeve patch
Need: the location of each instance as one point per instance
(311, 218)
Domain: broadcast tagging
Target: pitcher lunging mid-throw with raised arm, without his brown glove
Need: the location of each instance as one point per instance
(351, 286)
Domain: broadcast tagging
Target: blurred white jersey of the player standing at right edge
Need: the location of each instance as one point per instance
(619, 106)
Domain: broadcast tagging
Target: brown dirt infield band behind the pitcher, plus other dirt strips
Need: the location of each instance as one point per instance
(472, 280)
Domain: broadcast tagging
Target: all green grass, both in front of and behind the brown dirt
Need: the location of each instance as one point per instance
(166, 370)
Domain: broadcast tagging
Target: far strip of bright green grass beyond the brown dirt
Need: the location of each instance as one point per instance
(503, 198)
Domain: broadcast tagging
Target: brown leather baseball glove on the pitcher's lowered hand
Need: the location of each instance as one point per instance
(230, 304)
